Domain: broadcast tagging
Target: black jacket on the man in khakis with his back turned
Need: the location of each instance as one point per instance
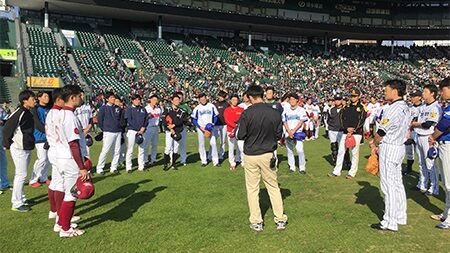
(260, 127)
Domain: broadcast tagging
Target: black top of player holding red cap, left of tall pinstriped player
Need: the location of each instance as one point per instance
(353, 115)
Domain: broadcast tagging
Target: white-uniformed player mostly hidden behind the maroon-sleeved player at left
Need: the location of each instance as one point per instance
(55, 190)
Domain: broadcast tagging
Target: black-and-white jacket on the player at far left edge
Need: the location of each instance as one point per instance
(22, 121)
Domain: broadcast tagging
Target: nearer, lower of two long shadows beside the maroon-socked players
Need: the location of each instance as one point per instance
(124, 210)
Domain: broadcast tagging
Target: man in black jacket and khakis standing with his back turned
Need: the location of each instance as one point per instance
(260, 128)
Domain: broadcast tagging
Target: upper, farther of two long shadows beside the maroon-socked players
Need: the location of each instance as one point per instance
(122, 192)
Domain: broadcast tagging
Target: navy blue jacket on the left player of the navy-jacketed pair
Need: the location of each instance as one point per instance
(109, 117)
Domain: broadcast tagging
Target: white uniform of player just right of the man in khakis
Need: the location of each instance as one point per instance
(292, 117)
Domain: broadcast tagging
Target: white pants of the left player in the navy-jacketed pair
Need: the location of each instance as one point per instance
(110, 140)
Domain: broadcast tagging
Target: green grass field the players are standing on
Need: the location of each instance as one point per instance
(205, 209)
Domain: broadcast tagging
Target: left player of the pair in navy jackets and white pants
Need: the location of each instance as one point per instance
(109, 121)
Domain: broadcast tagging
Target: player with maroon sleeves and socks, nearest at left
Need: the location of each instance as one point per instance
(69, 159)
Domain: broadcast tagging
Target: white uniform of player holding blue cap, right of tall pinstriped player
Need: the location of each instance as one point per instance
(429, 174)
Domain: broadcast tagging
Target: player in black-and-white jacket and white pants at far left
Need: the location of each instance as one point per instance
(18, 137)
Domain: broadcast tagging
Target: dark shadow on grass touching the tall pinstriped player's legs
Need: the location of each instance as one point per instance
(369, 195)
